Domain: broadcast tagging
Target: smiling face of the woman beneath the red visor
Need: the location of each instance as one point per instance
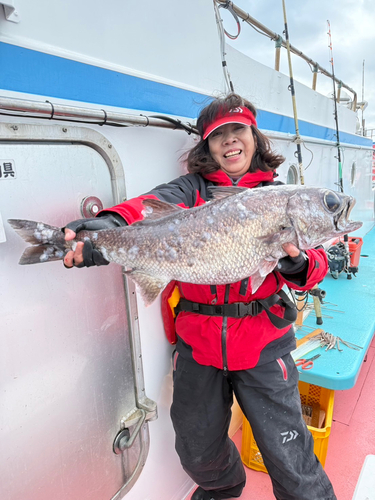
(232, 146)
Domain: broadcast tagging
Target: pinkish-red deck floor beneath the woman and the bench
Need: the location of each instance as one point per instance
(352, 438)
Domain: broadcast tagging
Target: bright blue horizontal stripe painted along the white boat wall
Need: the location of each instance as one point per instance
(34, 72)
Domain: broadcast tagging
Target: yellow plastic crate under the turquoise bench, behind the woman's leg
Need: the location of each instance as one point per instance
(309, 393)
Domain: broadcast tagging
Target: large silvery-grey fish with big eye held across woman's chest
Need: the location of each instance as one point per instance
(238, 234)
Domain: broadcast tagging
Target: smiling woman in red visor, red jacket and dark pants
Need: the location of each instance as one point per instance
(219, 350)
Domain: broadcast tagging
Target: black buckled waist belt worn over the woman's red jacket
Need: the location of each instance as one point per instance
(240, 309)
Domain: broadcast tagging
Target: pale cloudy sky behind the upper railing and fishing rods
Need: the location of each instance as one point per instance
(353, 40)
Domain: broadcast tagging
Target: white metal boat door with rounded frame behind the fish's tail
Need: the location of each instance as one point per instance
(74, 411)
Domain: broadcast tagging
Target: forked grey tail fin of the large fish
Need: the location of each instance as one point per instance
(48, 242)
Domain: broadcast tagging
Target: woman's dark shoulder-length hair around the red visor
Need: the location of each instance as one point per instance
(199, 159)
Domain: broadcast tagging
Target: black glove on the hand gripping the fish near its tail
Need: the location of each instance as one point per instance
(92, 256)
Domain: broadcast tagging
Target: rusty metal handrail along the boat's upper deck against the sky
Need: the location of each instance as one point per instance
(281, 42)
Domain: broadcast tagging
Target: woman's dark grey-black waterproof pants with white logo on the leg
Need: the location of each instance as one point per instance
(268, 395)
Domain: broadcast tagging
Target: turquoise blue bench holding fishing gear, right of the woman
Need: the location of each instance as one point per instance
(356, 323)
